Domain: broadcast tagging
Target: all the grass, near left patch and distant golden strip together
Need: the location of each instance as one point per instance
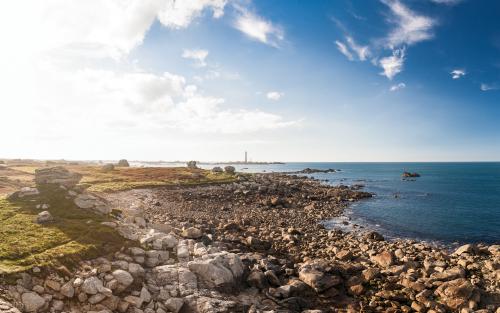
(76, 234)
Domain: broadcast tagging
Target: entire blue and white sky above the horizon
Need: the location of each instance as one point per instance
(285, 80)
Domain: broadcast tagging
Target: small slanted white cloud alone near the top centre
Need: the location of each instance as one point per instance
(259, 29)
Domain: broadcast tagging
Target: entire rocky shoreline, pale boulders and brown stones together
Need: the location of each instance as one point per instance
(257, 245)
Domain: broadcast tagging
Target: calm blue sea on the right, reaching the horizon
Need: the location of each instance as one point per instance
(450, 203)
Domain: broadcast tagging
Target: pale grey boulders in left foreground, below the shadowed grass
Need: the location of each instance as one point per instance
(168, 275)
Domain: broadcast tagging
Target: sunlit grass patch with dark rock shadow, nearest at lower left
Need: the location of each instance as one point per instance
(75, 234)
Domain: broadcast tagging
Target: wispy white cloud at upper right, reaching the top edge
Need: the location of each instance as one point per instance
(410, 27)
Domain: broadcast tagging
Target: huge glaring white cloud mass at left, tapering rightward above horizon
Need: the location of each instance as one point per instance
(67, 70)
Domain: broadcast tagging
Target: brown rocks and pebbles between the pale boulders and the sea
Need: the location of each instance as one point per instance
(274, 220)
